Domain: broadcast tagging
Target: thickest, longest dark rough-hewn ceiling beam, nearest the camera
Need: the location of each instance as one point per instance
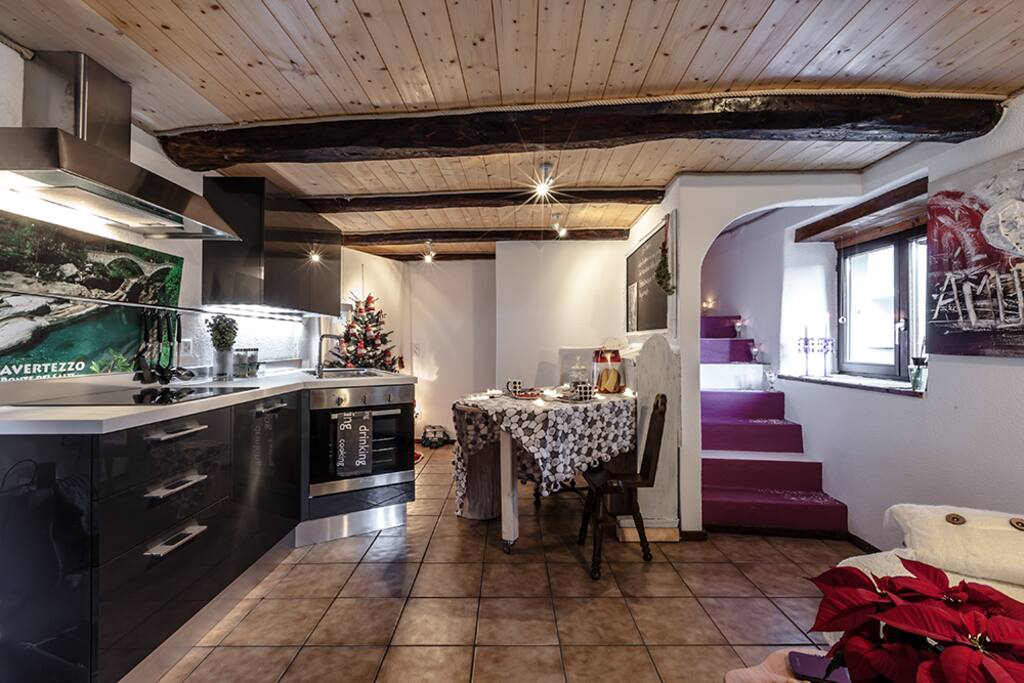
(782, 117)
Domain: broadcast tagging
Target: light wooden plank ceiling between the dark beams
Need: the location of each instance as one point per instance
(195, 63)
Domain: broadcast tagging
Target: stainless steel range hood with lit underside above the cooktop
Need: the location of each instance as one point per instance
(70, 163)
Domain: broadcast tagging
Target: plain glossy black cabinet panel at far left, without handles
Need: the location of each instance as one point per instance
(46, 559)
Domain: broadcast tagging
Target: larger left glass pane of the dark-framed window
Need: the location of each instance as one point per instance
(871, 296)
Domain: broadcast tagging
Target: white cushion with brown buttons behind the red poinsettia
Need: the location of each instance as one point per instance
(987, 545)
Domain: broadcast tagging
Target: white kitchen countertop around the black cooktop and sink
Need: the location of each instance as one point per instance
(105, 419)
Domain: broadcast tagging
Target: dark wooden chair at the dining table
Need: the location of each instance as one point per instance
(604, 484)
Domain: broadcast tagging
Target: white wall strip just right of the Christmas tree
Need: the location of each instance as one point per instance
(453, 334)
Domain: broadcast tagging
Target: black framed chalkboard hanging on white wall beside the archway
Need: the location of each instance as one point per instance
(647, 303)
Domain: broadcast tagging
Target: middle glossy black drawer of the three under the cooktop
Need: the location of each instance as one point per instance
(133, 517)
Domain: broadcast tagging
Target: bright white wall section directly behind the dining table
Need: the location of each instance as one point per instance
(552, 294)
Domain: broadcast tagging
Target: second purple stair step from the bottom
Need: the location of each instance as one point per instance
(746, 474)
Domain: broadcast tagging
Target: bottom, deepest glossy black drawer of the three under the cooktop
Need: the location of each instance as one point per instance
(144, 595)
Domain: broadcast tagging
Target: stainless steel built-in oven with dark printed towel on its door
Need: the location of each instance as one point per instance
(360, 439)
